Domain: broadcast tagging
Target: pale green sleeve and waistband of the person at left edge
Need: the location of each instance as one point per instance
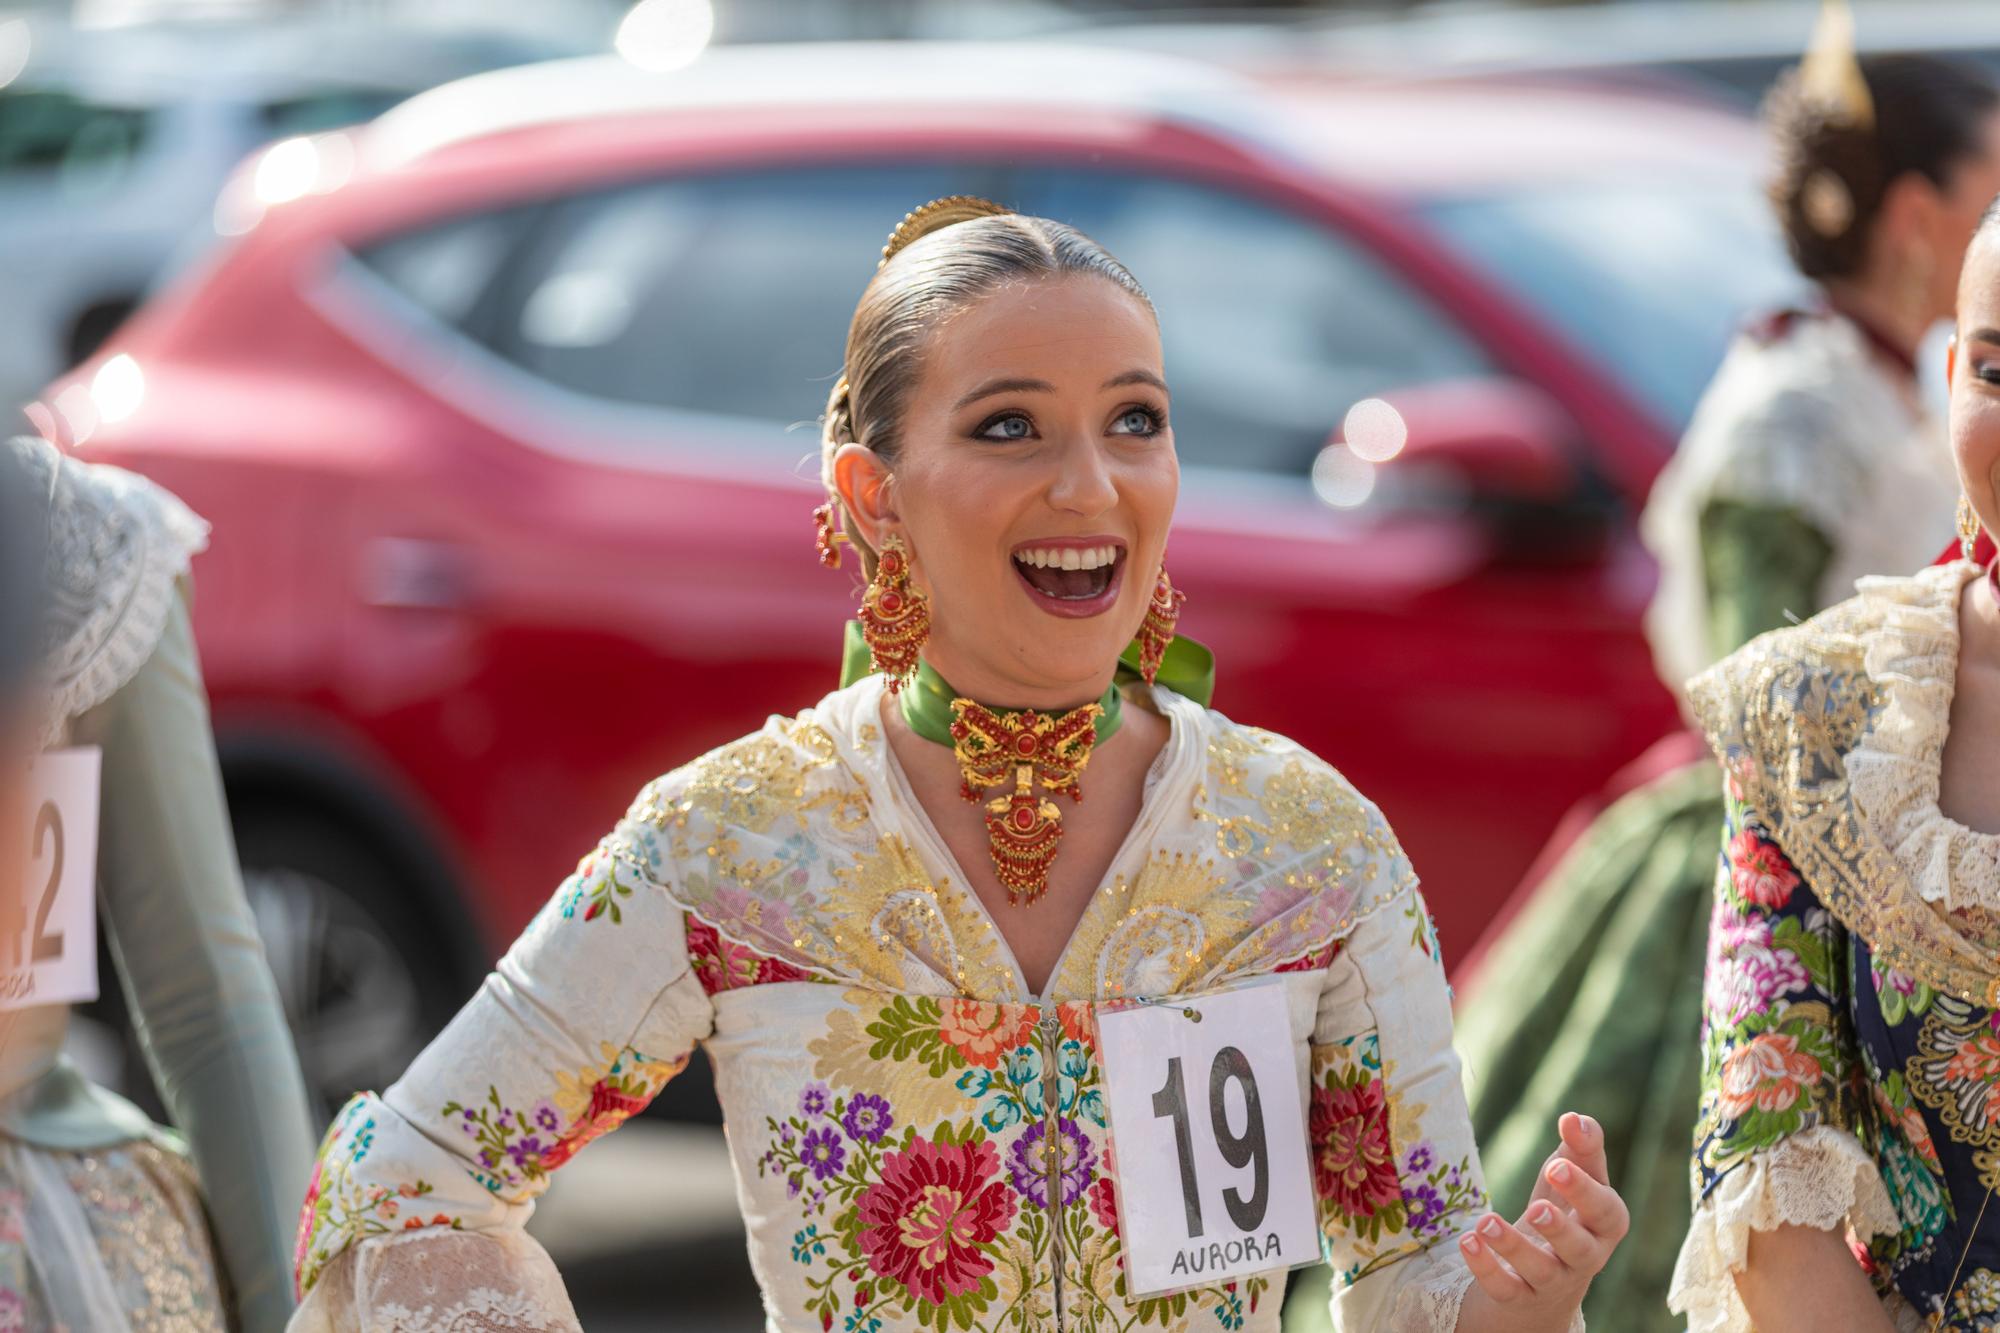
(195, 980)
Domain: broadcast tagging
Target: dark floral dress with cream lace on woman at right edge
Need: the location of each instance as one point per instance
(1851, 1040)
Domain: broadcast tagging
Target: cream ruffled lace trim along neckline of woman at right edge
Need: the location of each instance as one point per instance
(1895, 772)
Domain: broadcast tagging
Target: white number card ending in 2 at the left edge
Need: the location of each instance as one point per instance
(49, 936)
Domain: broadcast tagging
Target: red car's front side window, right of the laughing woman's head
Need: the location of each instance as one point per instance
(1273, 325)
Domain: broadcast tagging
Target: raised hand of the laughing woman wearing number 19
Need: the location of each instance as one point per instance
(1533, 1274)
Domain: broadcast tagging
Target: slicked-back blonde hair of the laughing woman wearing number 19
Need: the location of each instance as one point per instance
(939, 261)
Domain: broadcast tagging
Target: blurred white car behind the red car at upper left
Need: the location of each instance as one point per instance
(115, 143)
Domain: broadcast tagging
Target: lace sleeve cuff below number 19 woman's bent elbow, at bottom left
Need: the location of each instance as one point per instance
(439, 1282)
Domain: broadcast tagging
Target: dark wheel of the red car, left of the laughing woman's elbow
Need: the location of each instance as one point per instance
(359, 972)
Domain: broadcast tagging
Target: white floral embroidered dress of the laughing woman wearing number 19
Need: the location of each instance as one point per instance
(889, 1082)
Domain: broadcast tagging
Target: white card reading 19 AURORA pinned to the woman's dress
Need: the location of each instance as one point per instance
(1209, 1126)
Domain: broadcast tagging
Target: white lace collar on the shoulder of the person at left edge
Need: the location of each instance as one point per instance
(117, 549)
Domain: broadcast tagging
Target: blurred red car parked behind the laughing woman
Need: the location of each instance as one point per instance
(505, 415)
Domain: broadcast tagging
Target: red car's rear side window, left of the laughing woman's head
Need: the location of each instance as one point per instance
(711, 293)
